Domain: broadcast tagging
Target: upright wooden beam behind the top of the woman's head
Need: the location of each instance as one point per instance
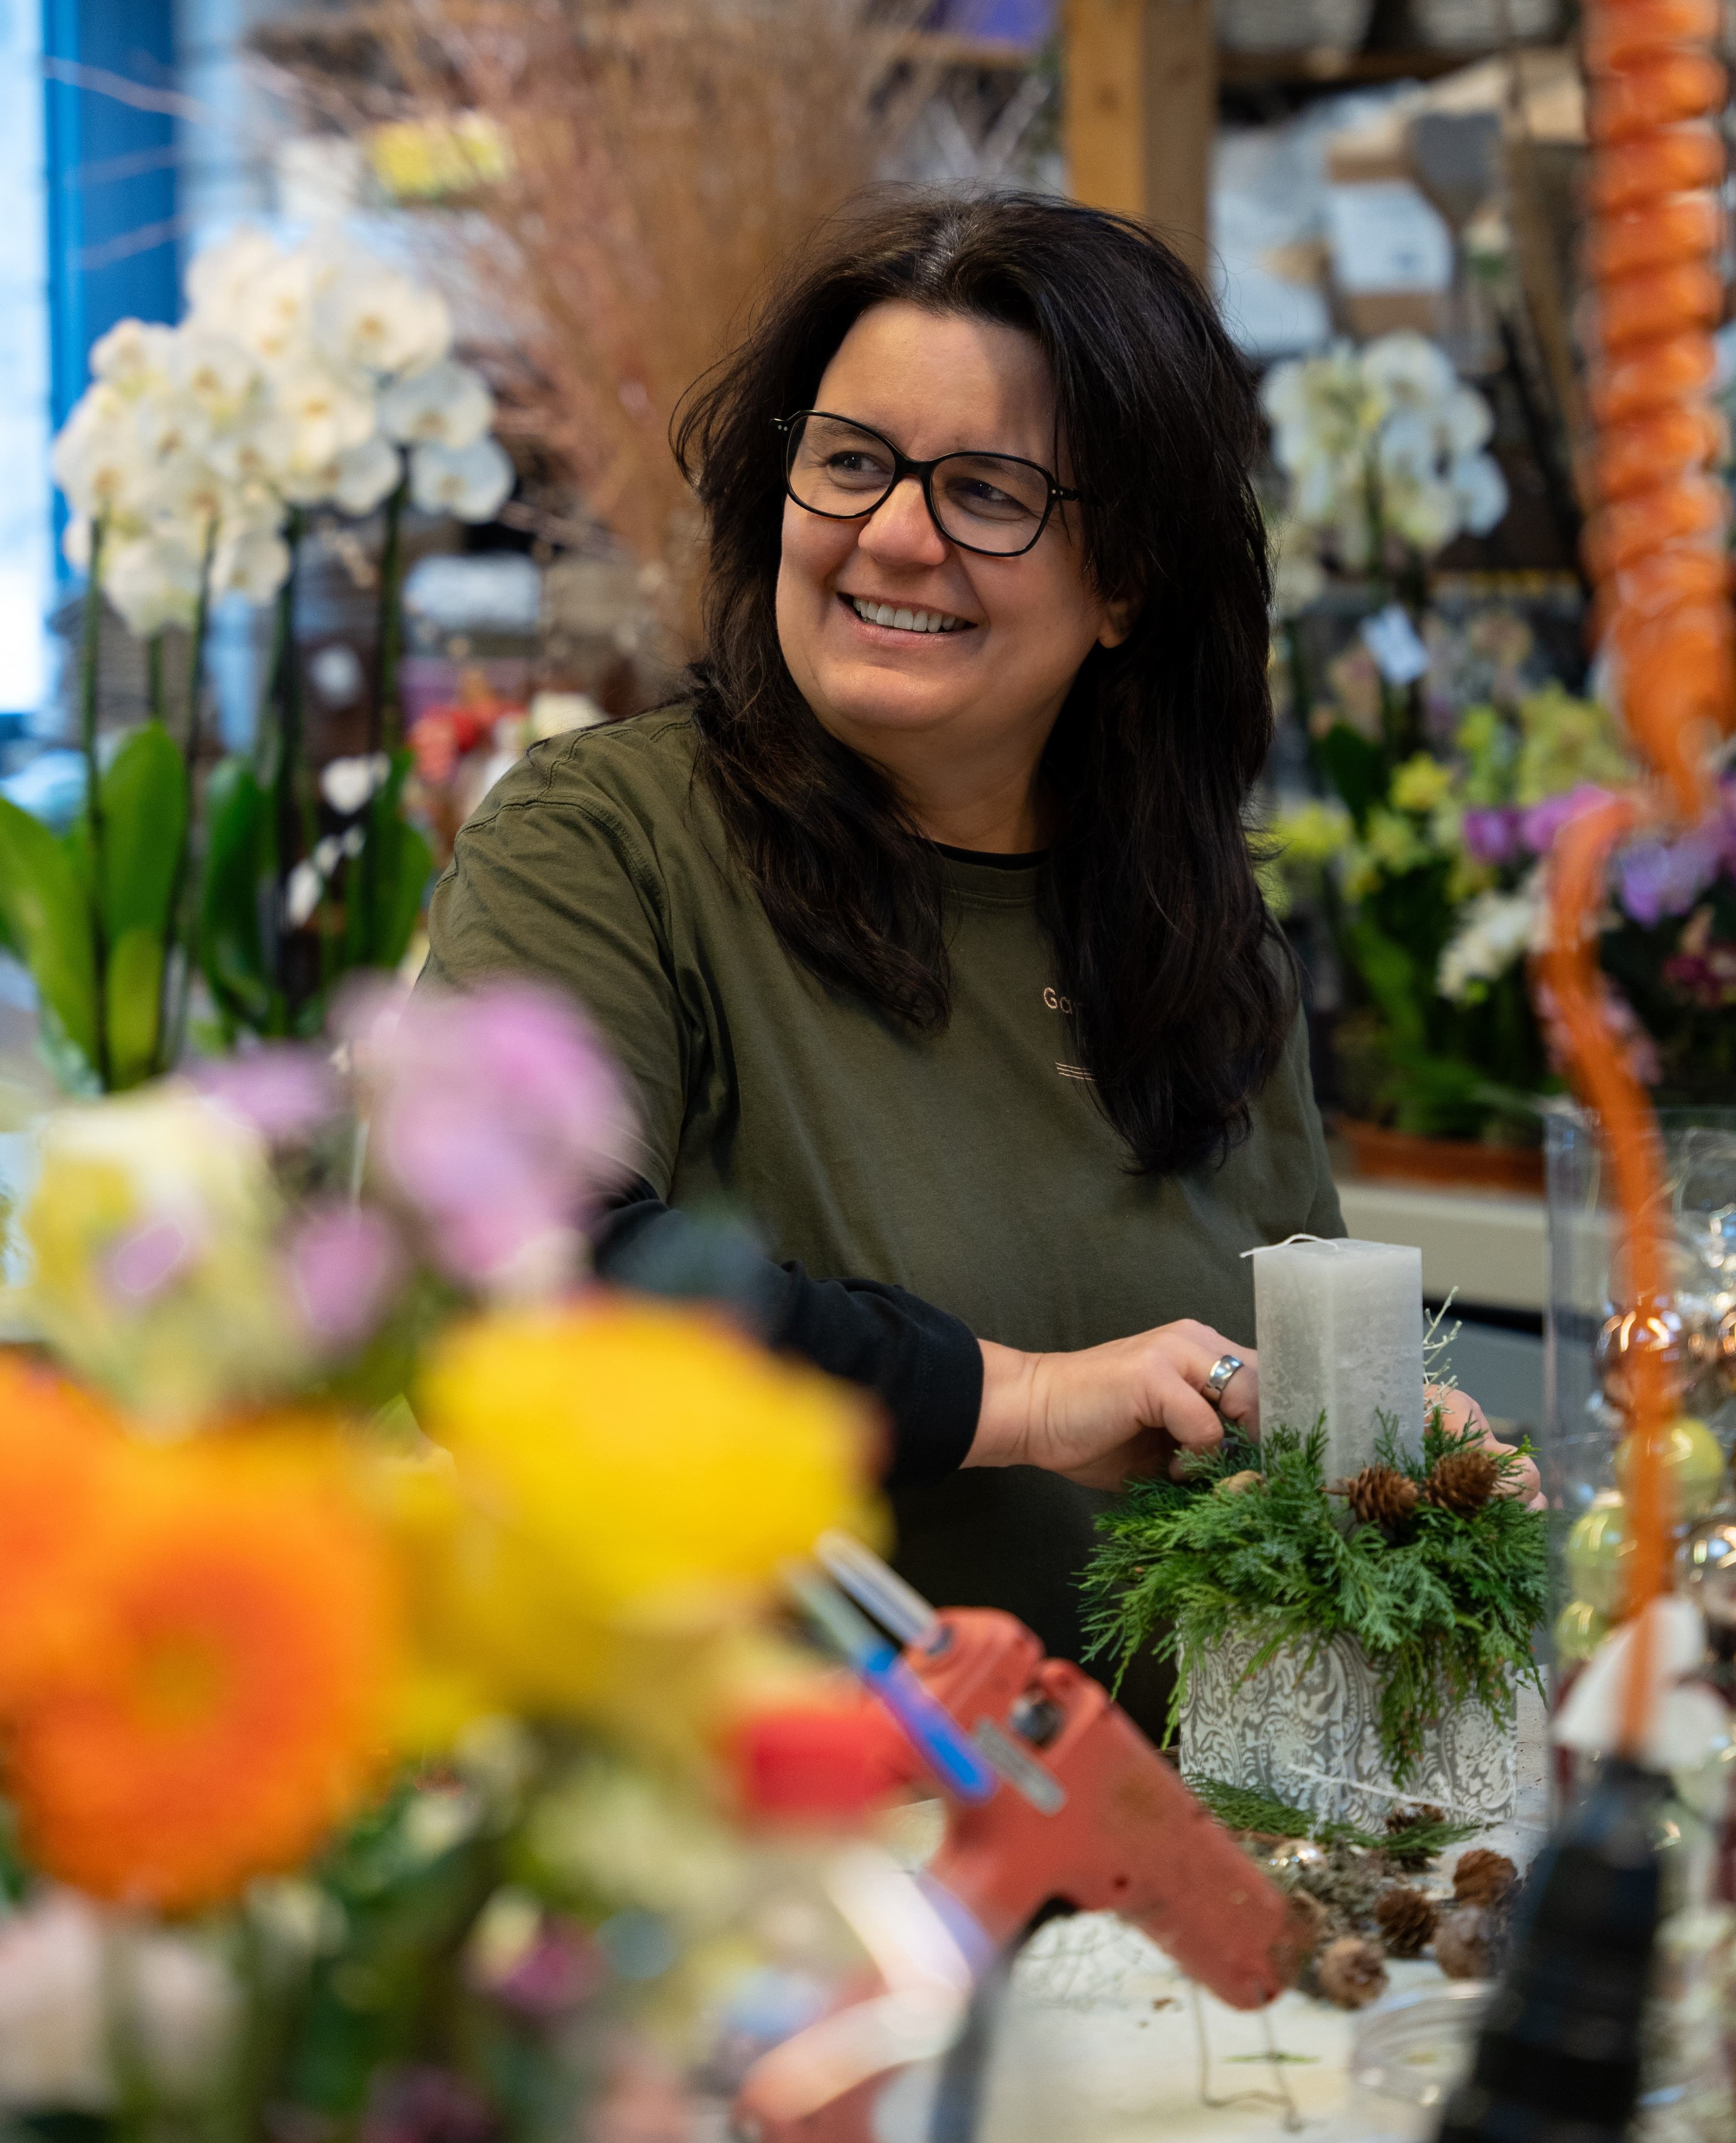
(1141, 108)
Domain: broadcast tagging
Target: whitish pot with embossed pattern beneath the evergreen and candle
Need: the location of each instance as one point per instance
(1308, 1733)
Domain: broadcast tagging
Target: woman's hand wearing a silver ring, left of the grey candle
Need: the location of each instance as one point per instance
(1107, 1413)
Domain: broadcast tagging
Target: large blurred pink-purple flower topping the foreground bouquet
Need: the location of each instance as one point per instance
(500, 1118)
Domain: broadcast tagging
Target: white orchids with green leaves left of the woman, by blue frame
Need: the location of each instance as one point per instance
(305, 378)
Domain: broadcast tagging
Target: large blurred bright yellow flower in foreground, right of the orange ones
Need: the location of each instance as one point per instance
(625, 1478)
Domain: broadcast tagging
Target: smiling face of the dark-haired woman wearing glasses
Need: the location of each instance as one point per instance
(936, 385)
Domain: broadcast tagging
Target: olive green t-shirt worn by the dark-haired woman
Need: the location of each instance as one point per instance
(970, 1167)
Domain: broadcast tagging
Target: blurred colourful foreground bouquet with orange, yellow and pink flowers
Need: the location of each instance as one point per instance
(376, 1598)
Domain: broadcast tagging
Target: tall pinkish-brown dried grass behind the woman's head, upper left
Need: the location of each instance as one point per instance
(657, 164)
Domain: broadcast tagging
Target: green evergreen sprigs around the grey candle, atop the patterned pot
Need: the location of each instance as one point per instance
(1446, 1615)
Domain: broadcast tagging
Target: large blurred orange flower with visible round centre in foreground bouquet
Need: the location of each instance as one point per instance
(233, 1679)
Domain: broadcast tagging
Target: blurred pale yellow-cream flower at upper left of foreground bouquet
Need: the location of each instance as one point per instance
(151, 1246)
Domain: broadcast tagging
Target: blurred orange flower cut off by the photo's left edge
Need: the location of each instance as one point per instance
(55, 1448)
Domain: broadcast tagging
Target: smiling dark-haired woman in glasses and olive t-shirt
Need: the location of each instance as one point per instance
(927, 925)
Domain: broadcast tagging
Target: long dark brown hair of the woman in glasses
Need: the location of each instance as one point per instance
(1161, 935)
